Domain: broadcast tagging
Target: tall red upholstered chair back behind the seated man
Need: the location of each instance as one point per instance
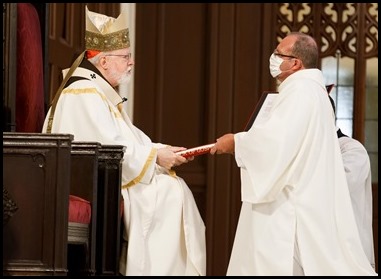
(30, 110)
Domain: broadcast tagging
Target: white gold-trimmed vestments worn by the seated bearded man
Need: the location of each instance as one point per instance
(163, 227)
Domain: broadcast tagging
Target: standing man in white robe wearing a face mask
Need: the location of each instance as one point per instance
(296, 216)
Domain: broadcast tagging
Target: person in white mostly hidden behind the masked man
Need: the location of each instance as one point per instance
(359, 178)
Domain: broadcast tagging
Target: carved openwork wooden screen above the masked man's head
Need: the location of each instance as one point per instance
(351, 28)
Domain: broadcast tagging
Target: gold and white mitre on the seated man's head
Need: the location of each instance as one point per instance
(104, 33)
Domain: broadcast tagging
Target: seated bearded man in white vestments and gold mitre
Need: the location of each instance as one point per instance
(164, 233)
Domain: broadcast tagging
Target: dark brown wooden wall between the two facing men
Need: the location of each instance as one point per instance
(199, 71)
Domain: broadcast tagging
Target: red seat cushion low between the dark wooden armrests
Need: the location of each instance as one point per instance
(79, 210)
